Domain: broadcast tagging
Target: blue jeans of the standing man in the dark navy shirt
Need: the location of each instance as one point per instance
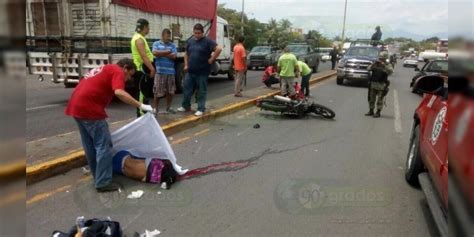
(198, 82)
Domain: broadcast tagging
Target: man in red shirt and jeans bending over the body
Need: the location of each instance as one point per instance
(87, 106)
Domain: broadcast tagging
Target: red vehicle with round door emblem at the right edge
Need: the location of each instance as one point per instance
(427, 159)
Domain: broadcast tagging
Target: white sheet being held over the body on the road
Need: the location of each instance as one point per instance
(144, 137)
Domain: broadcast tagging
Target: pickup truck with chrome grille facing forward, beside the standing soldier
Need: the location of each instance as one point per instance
(354, 64)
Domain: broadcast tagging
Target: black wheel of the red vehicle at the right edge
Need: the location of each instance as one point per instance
(414, 164)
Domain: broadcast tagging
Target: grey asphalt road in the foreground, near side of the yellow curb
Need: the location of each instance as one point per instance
(290, 177)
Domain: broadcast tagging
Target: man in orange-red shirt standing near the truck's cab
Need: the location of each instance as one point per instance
(240, 65)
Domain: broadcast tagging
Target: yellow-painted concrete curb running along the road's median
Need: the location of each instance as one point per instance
(41, 171)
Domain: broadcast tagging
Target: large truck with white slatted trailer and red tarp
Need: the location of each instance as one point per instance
(66, 39)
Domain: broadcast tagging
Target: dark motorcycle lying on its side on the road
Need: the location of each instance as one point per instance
(296, 107)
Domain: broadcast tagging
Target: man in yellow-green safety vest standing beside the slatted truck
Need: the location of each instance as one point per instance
(143, 59)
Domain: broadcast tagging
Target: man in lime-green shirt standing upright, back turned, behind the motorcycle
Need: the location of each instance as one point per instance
(288, 70)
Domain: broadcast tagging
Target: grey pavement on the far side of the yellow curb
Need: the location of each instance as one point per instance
(46, 101)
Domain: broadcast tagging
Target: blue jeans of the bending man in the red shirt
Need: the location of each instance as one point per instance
(97, 144)
